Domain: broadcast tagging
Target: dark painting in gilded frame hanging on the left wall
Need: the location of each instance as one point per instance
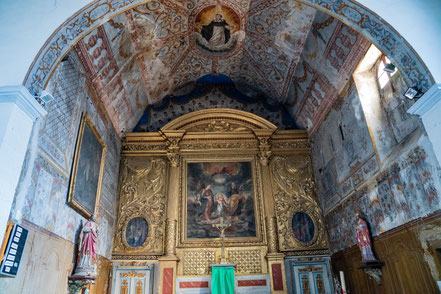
(87, 170)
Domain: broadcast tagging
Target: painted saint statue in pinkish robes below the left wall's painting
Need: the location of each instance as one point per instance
(87, 249)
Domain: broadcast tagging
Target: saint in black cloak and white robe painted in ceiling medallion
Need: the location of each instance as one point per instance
(217, 32)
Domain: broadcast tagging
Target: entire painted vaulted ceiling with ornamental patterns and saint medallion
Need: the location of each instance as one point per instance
(277, 52)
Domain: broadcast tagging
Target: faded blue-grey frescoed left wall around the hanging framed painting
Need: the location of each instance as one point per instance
(41, 196)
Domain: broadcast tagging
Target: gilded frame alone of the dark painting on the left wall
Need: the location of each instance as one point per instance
(74, 203)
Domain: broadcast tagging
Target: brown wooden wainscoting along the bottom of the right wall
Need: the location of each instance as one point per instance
(411, 254)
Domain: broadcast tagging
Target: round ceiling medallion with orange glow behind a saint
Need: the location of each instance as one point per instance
(217, 29)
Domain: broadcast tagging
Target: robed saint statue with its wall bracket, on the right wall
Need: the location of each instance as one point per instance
(369, 263)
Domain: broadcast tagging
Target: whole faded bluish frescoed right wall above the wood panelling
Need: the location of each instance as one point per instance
(402, 186)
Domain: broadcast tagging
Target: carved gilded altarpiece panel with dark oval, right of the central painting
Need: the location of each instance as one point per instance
(299, 218)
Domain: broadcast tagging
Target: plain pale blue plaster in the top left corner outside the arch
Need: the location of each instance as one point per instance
(26, 25)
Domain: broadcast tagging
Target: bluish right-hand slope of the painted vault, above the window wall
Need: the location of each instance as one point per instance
(331, 53)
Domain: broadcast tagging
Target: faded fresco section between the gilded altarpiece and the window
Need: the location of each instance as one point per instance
(341, 146)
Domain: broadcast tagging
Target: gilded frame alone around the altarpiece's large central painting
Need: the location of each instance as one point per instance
(183, 241)
